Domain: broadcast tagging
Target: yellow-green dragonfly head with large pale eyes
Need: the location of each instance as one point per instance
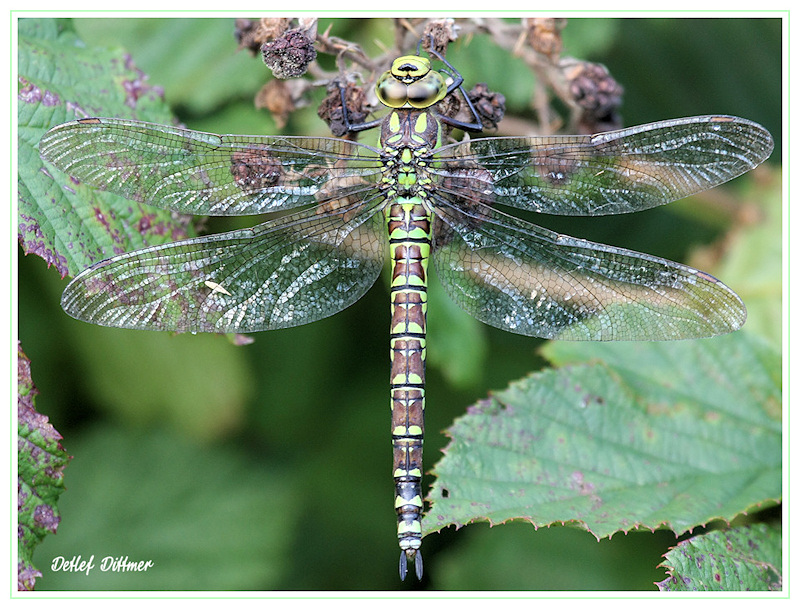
(411, 83)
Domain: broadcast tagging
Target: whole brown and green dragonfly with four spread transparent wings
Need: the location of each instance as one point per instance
(342, 206)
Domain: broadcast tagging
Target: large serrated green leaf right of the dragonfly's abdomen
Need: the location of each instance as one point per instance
(654, 435)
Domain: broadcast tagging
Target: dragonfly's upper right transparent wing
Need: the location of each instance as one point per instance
(607, 173)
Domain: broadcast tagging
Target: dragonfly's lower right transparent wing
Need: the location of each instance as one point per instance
(522, 278)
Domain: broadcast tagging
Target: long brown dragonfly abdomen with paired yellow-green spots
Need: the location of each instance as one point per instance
(409, 225)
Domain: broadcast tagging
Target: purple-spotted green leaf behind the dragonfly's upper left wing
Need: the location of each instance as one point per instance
(66, 223)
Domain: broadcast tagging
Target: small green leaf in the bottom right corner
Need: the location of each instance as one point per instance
(735, 560)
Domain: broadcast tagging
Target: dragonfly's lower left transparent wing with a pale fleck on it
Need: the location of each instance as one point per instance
(283, 273)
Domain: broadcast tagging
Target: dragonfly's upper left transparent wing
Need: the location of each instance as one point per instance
(202, 173)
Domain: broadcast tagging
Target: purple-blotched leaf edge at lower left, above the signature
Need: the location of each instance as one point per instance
(39, 475)
